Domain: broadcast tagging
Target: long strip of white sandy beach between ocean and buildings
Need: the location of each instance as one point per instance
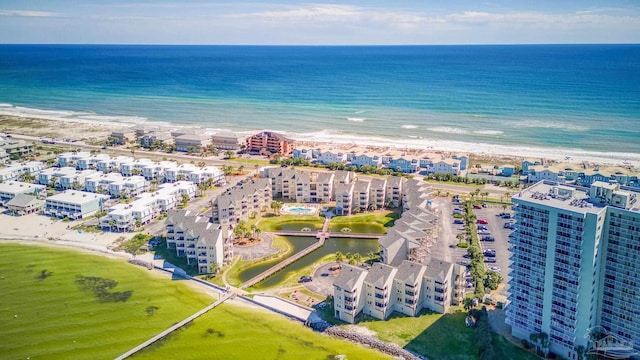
(44, 124)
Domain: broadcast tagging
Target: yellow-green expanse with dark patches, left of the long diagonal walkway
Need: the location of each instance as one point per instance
(62, 304)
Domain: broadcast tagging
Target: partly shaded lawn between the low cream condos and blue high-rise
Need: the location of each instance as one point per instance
(440, 336)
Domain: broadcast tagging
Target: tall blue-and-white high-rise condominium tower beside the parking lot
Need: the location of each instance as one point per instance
(575, 264)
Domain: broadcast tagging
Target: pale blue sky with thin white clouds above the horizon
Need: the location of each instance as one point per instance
(291, 22)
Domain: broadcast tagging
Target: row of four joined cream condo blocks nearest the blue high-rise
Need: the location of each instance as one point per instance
(407, 288)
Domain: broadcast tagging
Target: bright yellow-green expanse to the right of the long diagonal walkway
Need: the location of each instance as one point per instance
(234, 332)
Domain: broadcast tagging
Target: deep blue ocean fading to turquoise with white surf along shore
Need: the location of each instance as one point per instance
(521, 99)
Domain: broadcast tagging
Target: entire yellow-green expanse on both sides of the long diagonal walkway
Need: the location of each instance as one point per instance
(63, 304)
